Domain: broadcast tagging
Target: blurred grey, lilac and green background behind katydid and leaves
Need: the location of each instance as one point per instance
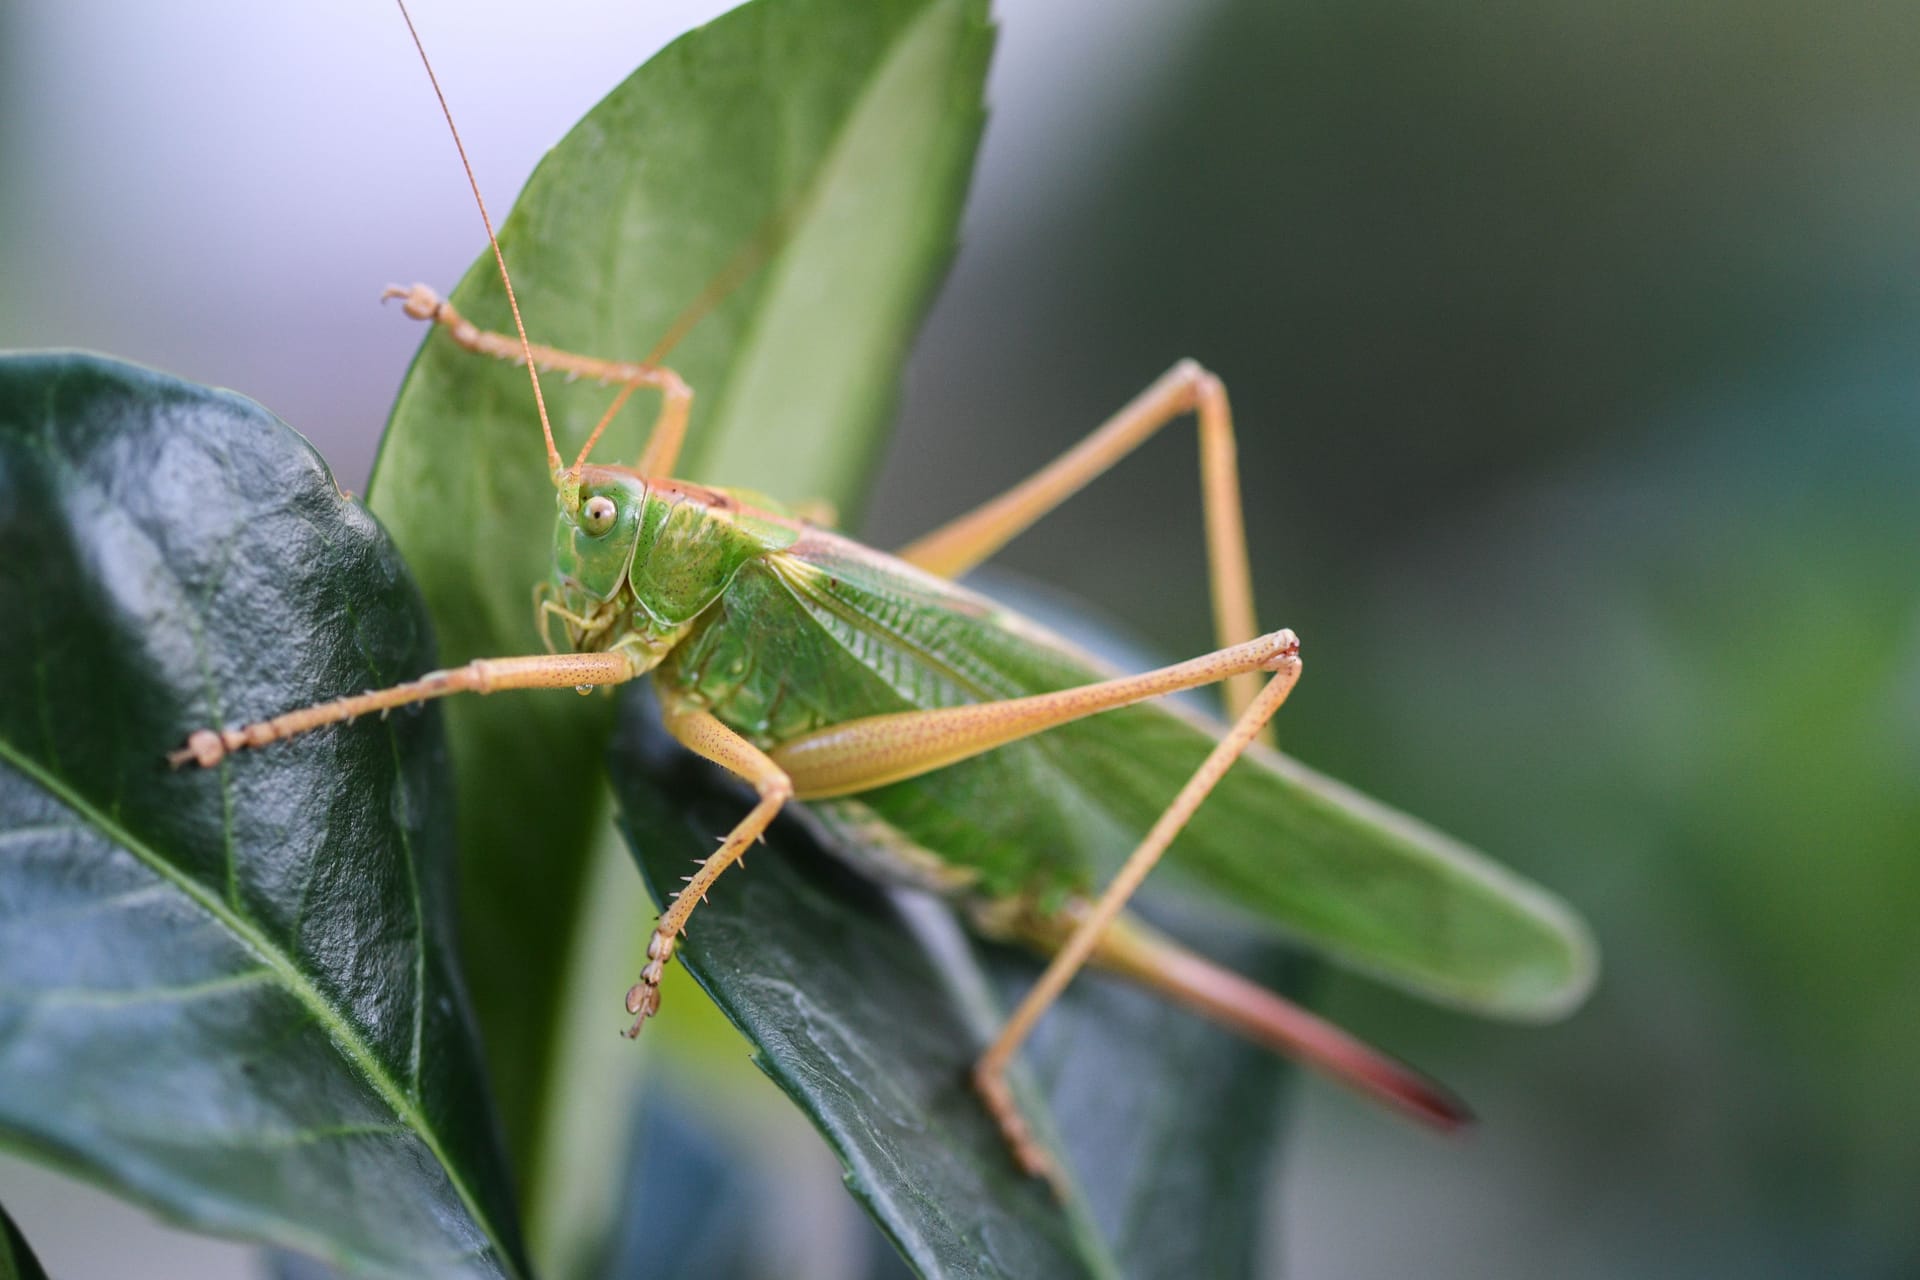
(1577, 362)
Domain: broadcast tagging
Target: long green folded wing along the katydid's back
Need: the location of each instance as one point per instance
(1289, 847)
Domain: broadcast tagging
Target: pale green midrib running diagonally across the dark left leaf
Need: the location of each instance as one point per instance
(341, 1031)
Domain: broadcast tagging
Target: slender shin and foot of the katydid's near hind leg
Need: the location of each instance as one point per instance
(990, 1076)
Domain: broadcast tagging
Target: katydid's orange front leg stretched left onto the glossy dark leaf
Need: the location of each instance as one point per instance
(548, 671)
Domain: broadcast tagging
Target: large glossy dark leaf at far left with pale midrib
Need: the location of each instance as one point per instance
(228, 993)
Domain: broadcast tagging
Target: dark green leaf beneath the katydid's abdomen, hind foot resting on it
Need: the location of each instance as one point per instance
(869, 1010)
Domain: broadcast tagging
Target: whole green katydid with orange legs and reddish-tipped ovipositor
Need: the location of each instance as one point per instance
(886, 698)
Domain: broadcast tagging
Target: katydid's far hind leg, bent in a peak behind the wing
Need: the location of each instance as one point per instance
(959, 546)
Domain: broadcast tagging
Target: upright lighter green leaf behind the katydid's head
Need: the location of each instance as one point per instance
(848, 126)
